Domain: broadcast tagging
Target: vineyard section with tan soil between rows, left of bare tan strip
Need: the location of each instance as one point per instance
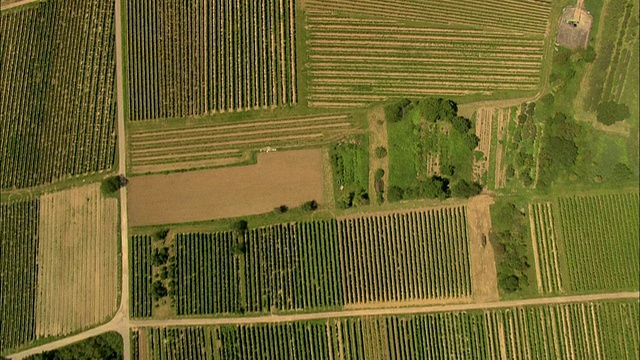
(407, 256)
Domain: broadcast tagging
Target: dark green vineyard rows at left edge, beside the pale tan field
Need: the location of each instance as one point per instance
(19, 272)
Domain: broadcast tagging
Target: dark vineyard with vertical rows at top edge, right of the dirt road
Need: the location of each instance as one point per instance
(189, 59)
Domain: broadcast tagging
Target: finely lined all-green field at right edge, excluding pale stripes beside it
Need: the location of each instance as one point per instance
(600, 240)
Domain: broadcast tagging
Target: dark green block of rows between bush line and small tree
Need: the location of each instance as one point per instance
(207, 274)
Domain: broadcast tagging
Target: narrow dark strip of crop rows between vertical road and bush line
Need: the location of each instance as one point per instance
(141, 276)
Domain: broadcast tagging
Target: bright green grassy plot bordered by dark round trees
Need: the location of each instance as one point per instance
(430, 146)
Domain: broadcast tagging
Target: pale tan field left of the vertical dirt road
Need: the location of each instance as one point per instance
(77, 260)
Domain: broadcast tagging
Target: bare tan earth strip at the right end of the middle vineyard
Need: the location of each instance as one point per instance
(484, 280)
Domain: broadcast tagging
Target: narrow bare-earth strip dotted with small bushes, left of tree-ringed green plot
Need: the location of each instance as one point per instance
(377, 138)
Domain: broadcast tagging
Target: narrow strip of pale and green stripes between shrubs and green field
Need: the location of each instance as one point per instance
(543, 235)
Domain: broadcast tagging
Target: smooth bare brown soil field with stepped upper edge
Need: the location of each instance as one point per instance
(290, 178)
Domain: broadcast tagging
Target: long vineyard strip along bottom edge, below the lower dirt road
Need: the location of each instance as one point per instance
(606, 330)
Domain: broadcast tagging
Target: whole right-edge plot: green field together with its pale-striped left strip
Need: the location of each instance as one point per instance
(587, 243)
